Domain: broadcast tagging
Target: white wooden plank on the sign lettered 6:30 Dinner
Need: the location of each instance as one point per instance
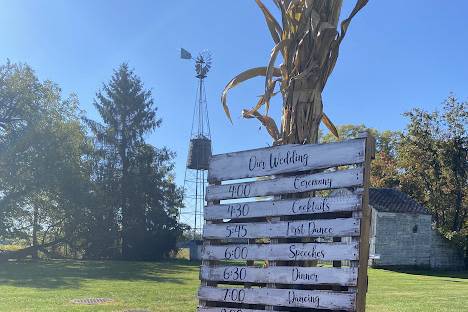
(281, 274)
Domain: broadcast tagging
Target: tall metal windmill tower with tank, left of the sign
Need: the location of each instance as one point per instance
(199, 149)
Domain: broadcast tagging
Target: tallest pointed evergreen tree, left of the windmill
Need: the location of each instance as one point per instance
(131, 166)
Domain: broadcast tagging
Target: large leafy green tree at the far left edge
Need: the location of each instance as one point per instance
(43, 174)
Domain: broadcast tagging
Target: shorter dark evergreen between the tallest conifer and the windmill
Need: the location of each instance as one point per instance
(155, 199)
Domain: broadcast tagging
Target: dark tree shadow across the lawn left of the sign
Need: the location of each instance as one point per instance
(70, 273)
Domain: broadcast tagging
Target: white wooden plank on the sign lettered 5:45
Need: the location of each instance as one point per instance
(289, 229)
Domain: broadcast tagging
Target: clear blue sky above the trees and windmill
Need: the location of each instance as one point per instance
(397, 55)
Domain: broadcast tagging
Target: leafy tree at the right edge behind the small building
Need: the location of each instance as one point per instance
(433, 157)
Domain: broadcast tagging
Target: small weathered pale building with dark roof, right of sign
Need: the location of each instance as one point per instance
(402, 234)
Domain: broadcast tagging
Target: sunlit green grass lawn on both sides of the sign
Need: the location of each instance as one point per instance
(171, 286)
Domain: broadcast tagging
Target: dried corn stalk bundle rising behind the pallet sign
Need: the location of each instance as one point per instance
(308, 41)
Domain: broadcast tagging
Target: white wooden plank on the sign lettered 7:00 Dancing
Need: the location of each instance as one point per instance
(317, 299)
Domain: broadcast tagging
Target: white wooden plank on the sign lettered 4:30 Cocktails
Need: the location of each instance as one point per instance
(271, 208)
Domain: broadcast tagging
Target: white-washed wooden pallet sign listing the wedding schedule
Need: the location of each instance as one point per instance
(278, 237)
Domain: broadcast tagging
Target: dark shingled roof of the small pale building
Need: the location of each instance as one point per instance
(393, 200)
